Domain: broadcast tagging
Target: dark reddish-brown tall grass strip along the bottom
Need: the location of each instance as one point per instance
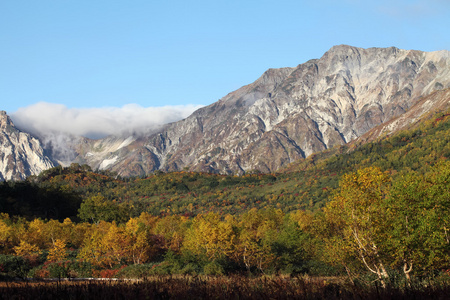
(223, 287)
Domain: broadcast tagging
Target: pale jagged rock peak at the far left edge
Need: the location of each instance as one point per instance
(21, 154)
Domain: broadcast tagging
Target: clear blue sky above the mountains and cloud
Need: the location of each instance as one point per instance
(91, 54)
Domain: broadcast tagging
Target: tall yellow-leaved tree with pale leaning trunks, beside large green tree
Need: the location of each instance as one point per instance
(358, 219)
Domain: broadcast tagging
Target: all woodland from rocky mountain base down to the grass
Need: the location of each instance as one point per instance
(380, 208)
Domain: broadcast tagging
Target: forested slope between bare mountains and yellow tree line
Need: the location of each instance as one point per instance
(58, 192)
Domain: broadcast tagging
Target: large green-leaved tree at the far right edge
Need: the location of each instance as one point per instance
(419, 218)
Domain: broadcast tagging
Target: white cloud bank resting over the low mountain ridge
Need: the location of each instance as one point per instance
(43, 119)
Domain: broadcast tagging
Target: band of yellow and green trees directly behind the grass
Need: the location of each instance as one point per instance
(373, 223)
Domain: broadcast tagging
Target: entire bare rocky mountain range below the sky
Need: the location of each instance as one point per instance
(348, 95)
